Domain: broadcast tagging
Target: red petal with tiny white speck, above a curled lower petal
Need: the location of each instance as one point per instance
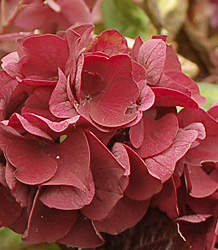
(73, 160)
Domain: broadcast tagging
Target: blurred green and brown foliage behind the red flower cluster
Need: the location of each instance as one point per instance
(192, 28)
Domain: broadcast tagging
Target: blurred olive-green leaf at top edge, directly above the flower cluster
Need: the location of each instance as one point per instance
(126, 17)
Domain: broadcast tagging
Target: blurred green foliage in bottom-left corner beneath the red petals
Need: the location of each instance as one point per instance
(12, 241)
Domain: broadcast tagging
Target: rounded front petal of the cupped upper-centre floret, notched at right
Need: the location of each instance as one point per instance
(110, 108)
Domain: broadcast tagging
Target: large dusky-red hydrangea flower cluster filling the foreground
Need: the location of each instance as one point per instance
(90, 137)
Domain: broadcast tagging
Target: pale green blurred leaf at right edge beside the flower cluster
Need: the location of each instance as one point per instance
(210, 91)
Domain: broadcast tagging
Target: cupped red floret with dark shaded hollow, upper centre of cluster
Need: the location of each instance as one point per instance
(101, 91)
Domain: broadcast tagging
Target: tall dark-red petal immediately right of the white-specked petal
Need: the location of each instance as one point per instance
(107, 173)
